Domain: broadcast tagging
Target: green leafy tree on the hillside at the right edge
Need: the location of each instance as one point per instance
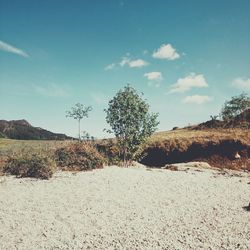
(235, 106)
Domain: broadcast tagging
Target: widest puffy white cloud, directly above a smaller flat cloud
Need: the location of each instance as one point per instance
(191, 81)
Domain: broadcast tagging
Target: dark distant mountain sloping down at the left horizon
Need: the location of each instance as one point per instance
(22, 130)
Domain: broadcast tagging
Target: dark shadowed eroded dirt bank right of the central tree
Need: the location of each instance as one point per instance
(225, 153)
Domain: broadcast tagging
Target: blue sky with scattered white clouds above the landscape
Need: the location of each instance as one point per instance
(187, 57)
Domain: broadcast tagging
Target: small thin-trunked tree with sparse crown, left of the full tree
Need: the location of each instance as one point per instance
(78, 112)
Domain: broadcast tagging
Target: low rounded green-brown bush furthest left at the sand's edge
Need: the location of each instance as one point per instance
(36, 165)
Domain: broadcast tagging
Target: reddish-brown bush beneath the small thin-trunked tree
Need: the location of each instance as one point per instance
(79, 156)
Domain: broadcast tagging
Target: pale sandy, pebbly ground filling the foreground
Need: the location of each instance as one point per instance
(126, 208)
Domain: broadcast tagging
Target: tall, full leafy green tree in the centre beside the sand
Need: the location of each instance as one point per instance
(129, 118)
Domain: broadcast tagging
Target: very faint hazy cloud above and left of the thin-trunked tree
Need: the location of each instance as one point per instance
(51, 90)
